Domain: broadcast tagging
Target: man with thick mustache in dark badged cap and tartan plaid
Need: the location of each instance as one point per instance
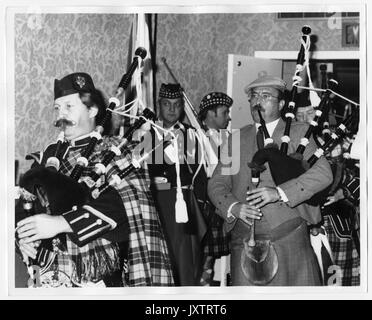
(114, 240)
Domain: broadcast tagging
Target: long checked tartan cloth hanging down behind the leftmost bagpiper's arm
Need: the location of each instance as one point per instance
(148, 256)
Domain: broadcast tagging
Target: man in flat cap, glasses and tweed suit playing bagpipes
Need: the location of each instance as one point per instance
(280, 213)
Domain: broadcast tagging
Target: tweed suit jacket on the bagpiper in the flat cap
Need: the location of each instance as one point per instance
(229, 185)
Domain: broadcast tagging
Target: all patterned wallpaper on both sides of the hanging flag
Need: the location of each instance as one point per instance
(195, 46)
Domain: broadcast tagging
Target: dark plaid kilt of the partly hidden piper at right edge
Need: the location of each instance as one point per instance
(345, 255)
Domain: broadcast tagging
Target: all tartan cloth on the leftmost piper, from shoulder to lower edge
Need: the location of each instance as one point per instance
(148, 259)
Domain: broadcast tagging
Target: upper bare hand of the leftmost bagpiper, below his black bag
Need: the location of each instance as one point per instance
(41, 226)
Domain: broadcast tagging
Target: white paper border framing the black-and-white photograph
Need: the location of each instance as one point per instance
(170, 293)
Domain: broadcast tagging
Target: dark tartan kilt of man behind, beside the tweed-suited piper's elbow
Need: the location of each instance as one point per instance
(217, 240)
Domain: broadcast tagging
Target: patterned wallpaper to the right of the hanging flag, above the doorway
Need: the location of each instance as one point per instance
(196, 46)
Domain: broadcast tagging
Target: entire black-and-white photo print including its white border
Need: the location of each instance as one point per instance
(208, 149)
